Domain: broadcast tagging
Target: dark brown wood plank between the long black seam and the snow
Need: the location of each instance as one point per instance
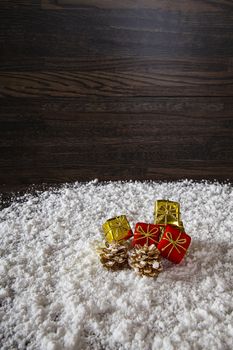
(67, 139)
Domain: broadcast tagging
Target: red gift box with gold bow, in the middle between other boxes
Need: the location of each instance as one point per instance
(146, 234)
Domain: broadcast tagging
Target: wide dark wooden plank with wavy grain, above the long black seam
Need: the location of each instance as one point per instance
(162, 52)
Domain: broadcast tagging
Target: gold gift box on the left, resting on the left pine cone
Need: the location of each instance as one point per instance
(117, 229)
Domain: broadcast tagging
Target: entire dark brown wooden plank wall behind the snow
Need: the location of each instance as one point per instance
(116, 90)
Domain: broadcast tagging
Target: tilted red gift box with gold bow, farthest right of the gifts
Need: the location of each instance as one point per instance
(174, 244)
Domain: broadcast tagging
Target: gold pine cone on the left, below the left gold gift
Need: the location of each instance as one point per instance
(114, 255)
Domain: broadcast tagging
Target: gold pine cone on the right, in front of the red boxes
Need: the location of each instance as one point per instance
(145, 260)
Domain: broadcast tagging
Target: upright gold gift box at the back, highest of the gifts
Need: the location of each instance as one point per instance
(167, 212)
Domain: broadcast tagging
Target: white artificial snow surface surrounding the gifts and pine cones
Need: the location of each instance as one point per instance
(55, 295)
